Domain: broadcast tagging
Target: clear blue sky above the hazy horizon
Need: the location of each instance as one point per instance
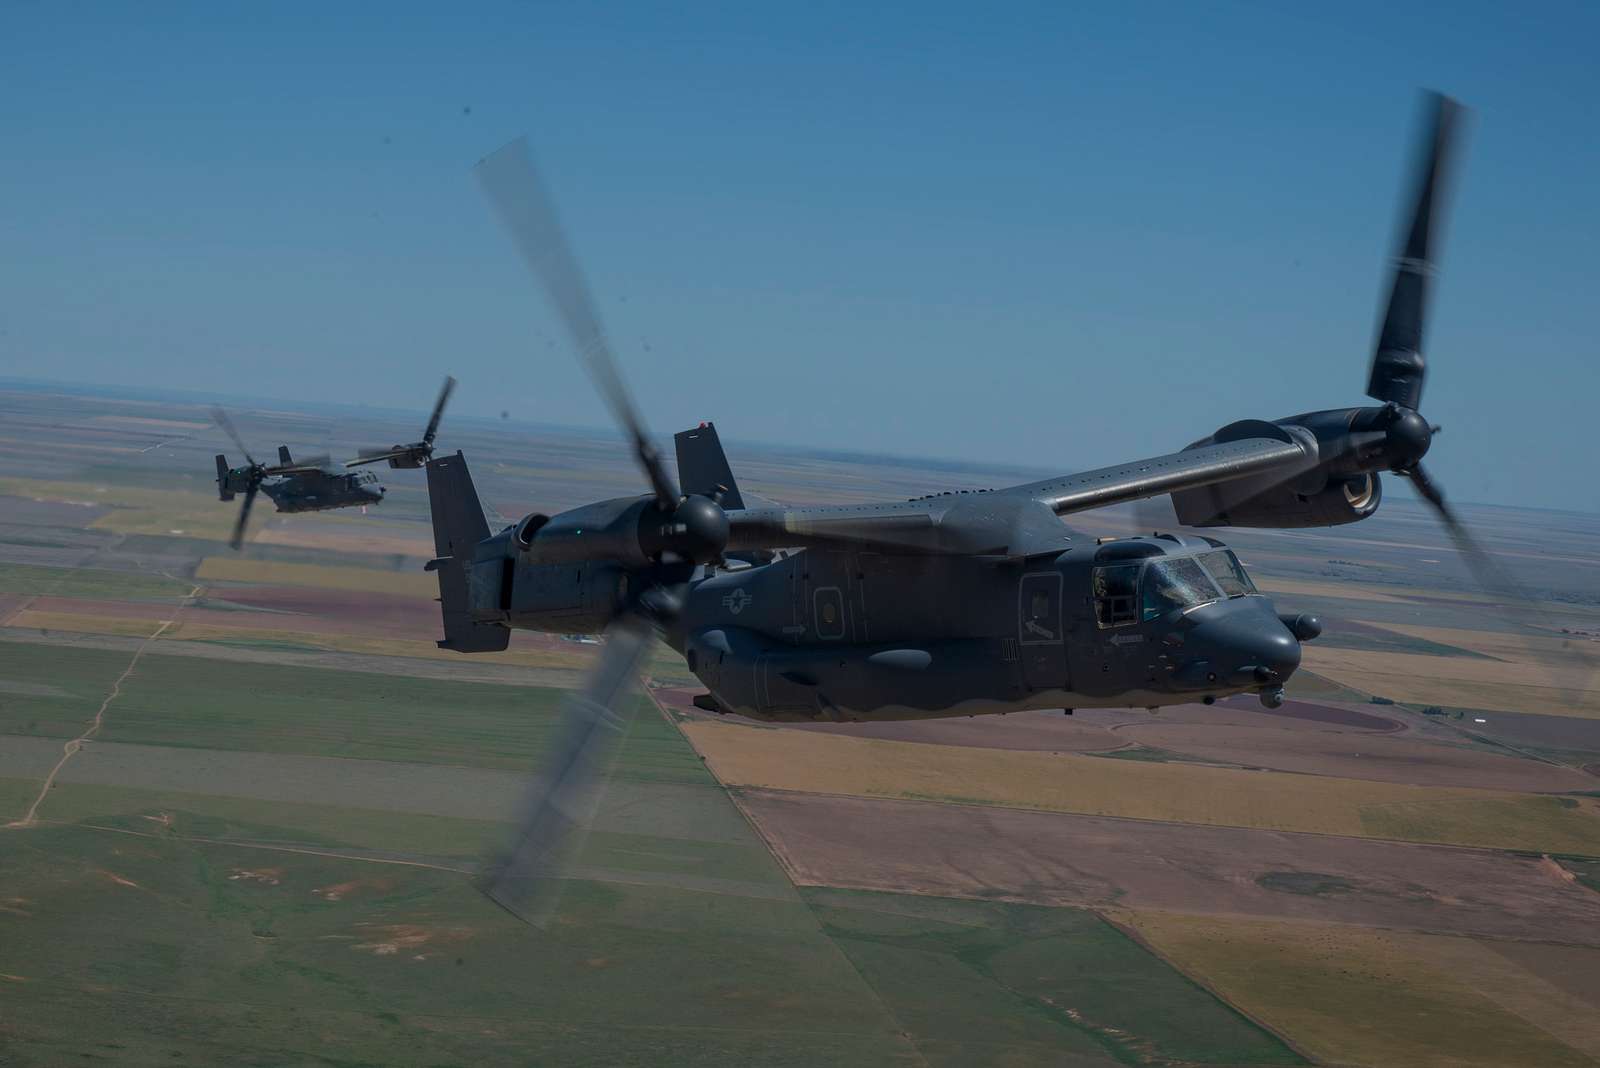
(1052, 236)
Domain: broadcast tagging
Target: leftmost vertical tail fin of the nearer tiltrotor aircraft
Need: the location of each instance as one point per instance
(458, 528)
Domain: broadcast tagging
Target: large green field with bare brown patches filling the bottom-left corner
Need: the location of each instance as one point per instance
(140, 952)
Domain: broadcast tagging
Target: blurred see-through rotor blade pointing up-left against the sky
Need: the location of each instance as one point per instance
(526, 209)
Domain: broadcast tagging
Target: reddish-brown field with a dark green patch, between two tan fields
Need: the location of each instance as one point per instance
(1094, 863)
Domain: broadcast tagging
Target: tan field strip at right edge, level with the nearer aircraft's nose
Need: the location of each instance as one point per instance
(1457, 682)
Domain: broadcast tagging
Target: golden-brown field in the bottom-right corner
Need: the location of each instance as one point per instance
(1359, 997)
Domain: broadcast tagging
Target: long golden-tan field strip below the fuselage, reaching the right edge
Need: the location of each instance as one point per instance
(1182, 794)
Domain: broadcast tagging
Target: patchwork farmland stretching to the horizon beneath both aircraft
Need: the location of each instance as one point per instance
(263, 795)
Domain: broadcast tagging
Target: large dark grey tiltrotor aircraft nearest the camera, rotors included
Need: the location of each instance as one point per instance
(948, 605)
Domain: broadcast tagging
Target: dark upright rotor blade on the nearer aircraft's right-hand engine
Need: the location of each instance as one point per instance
(1398, 361)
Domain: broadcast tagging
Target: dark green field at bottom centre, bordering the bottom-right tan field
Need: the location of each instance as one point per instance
(988, 984)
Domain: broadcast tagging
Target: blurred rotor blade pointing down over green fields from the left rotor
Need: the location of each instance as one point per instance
(562, 802)
